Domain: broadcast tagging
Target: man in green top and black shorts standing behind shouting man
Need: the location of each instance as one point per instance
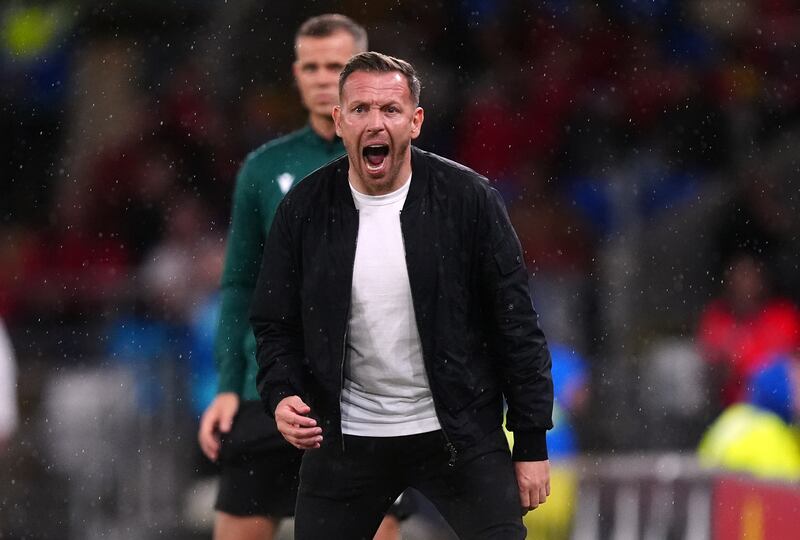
(259, 470)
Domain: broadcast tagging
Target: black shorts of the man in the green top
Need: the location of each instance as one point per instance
(258, 468)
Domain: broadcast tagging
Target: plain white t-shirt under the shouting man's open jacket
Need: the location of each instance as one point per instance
(386, 391)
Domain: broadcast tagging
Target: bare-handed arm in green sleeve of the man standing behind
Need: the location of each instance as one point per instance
(242, 260)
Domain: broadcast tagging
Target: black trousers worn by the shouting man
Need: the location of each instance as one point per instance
(344, 495)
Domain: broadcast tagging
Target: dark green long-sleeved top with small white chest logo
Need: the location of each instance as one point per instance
(263, 180)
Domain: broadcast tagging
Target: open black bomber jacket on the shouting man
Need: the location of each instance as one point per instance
(479, 332)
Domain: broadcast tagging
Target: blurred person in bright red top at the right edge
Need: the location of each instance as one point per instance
(744, 329)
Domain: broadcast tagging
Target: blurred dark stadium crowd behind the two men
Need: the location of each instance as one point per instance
(637, 144)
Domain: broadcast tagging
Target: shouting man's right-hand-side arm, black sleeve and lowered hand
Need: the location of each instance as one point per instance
(522, 351)
